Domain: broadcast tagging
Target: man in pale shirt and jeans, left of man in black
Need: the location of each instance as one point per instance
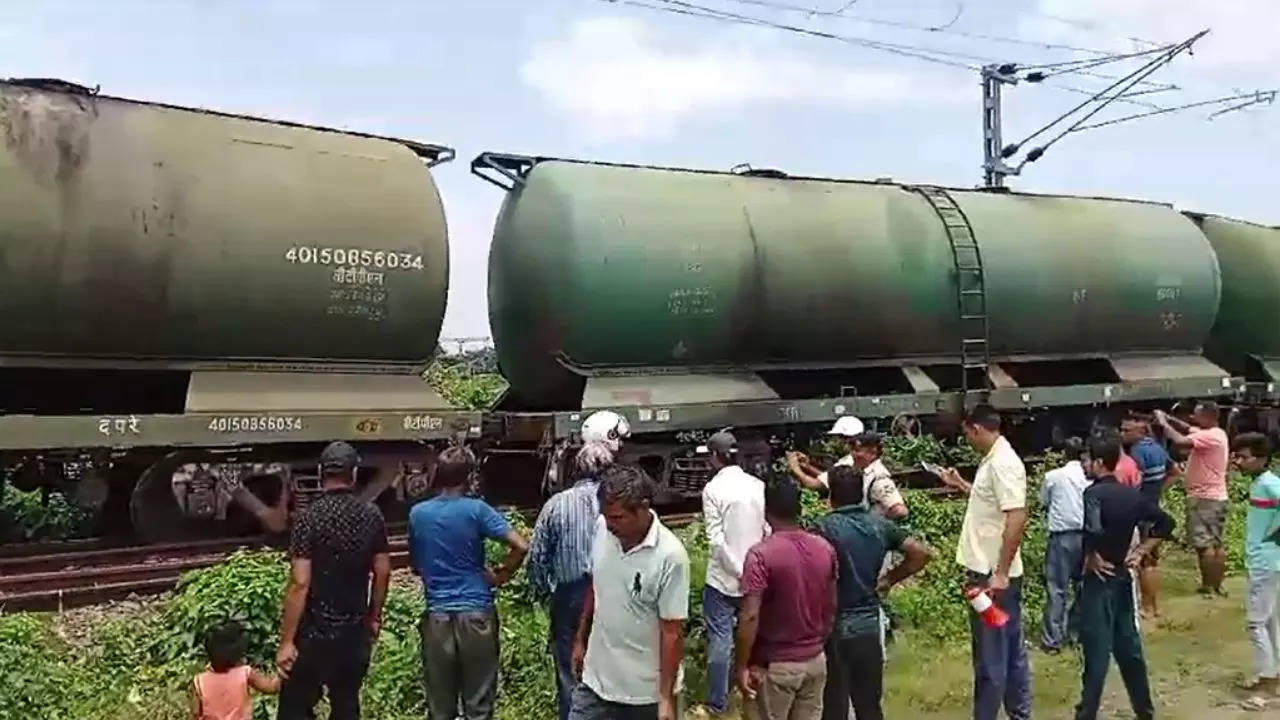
(1063, 496)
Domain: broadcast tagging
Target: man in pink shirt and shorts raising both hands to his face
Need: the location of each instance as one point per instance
(1206, 489)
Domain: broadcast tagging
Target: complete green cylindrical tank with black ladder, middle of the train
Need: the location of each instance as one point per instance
(606, 267)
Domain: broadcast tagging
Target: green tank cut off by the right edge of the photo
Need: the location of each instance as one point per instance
(1250, 258)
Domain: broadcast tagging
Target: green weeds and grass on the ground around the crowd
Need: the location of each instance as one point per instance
(141, 667)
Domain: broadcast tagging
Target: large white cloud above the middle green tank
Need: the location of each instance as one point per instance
(618, 79)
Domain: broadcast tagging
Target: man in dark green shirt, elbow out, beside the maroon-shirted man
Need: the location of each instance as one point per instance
(862, 540)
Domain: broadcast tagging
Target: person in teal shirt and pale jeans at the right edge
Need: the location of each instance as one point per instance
(1252, 453)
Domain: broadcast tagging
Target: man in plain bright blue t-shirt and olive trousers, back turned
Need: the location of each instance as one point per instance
(460, 628)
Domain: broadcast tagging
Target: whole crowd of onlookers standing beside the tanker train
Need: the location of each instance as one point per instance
(794, 618)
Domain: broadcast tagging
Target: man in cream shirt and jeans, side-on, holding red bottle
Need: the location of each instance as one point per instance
(989, 552)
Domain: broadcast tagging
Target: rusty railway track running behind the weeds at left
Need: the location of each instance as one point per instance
(75, 578)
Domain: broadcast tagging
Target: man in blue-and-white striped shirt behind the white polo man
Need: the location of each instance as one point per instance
(560, 560)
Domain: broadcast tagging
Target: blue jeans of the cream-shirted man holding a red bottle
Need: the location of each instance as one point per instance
(1002, 672)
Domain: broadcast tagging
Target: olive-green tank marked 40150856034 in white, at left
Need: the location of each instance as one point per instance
(180, 238)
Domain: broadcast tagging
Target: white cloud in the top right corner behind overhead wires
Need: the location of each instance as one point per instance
(1244, 33)
